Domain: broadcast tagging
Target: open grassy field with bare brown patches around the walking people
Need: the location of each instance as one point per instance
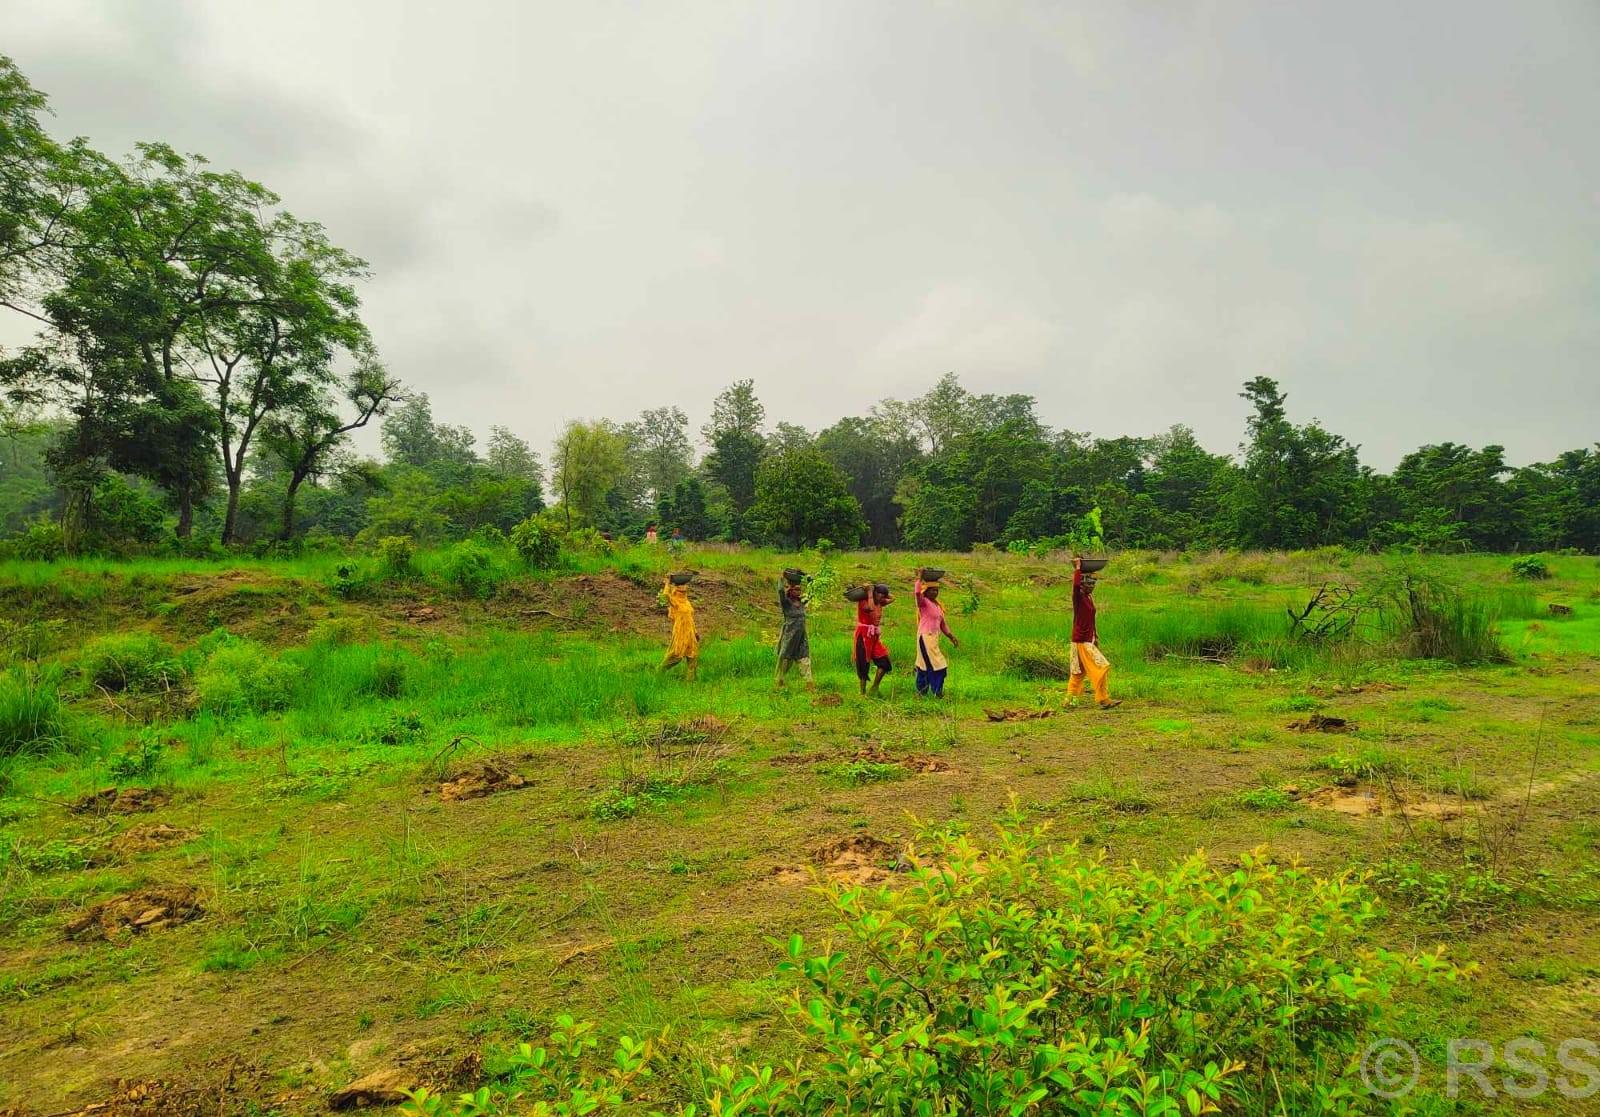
(302, 729)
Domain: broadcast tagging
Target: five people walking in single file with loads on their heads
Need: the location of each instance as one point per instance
(871, 655)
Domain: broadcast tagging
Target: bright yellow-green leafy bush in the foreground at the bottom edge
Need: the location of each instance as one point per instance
(1036, 980)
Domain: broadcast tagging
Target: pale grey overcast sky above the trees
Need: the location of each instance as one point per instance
(1127, 209)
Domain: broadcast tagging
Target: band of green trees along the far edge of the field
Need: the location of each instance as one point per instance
(201, 366)
